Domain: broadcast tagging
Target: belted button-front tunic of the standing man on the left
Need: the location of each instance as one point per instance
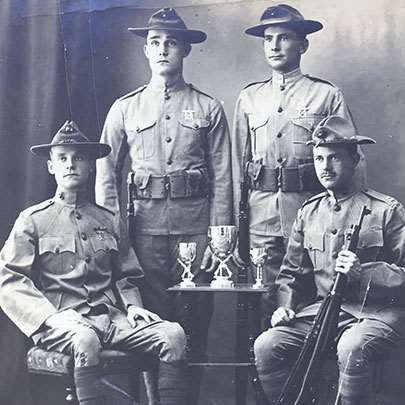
(178, 131)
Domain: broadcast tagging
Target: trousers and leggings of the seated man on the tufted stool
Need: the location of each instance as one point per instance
(84, 335)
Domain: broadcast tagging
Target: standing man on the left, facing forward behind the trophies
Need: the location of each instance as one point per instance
(178, 142)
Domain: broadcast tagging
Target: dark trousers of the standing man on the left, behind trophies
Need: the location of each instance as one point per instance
(158, 254)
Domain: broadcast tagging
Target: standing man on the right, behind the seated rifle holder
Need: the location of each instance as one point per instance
(273, 120)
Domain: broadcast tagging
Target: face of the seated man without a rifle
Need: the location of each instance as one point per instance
(70, 166)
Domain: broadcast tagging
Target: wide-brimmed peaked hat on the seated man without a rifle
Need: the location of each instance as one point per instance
(70, 135)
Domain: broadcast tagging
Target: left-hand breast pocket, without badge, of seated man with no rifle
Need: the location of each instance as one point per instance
(57, 254)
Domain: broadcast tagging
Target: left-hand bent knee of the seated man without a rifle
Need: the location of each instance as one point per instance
(86, 347)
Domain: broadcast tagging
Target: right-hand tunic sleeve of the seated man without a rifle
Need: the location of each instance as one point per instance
(128, 272)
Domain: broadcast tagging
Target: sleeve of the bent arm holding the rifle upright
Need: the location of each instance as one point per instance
(384, 279)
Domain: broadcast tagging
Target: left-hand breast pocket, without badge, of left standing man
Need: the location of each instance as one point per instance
(142, 138)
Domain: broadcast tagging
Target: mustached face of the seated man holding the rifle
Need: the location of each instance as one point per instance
(334, 166)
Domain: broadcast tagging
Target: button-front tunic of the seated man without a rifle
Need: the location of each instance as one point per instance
(61, 256)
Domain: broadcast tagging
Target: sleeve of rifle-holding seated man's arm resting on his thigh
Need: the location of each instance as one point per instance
(295, 282)
